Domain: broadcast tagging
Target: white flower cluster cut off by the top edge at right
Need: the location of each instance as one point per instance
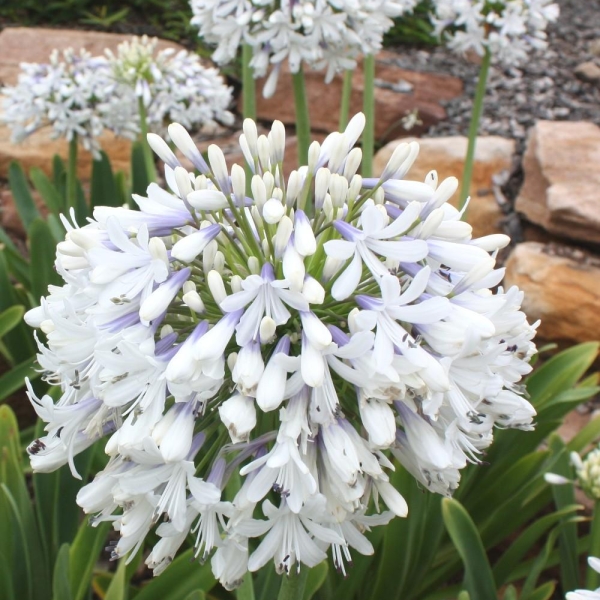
(508, 29)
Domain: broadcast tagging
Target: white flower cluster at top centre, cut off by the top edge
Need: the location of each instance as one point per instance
(319, 34)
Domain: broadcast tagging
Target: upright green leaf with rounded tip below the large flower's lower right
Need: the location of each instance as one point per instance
(479, 580)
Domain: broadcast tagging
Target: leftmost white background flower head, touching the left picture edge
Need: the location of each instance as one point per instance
(73, 94)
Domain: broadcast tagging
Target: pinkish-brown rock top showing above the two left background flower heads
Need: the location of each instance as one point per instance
(34, 44)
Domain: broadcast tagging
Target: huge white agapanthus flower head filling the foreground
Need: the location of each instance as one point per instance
(296, 331)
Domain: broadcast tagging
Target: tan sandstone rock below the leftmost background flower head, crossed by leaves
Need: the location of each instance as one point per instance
(38, 150)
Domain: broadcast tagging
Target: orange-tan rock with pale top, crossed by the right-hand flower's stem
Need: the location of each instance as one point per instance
(446, 155)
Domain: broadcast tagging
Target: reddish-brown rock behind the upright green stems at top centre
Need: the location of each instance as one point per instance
(398, 92)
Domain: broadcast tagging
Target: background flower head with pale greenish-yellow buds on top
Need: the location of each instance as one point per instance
(174, 86)
